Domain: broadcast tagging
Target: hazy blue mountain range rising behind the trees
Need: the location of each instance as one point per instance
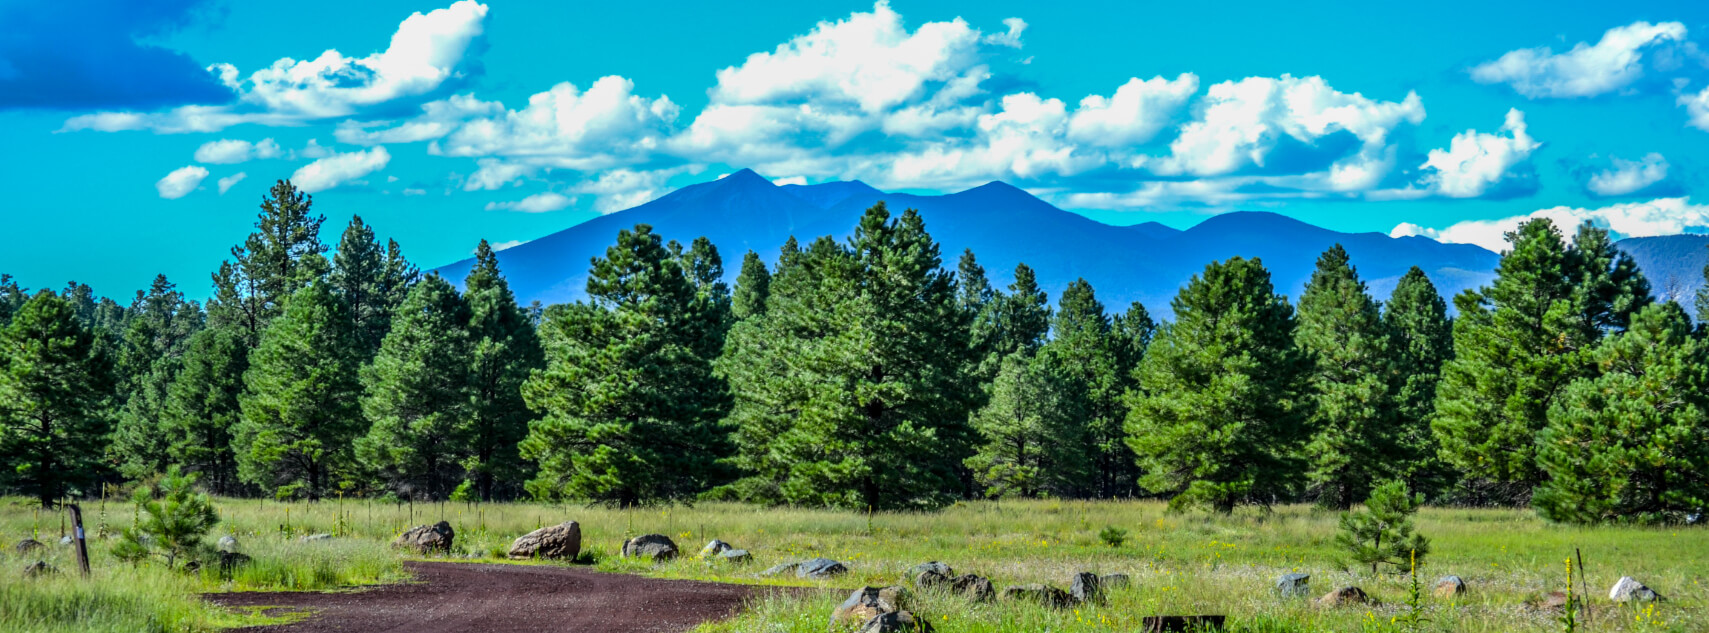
(1002, 225)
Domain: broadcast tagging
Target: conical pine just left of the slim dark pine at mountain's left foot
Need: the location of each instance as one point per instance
(418, 393)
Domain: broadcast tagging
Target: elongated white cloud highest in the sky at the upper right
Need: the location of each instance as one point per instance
(1612, 64)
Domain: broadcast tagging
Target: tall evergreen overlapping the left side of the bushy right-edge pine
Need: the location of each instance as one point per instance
(1522, 341)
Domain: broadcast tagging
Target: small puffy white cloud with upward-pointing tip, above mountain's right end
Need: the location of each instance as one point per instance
(1476, 163)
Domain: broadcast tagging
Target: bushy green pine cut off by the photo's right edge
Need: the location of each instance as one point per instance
(1633, 444)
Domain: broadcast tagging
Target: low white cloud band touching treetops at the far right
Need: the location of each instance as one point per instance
(1628, 220)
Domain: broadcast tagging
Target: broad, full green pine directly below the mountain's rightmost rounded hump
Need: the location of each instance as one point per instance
(1223, 401)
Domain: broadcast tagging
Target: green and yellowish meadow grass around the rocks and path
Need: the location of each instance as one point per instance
(1180, 564)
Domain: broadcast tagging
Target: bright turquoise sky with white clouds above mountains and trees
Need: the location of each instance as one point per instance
(138, 139)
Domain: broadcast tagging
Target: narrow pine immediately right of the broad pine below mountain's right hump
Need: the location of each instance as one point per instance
(1353, 427)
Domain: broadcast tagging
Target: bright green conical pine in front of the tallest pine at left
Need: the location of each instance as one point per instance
(302, 399)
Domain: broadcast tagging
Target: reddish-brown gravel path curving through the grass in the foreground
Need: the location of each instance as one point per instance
(455, 598)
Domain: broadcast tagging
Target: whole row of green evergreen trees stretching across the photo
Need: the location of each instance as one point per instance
(864, 374)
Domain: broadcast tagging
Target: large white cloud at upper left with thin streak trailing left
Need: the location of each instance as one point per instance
(426, 56)
